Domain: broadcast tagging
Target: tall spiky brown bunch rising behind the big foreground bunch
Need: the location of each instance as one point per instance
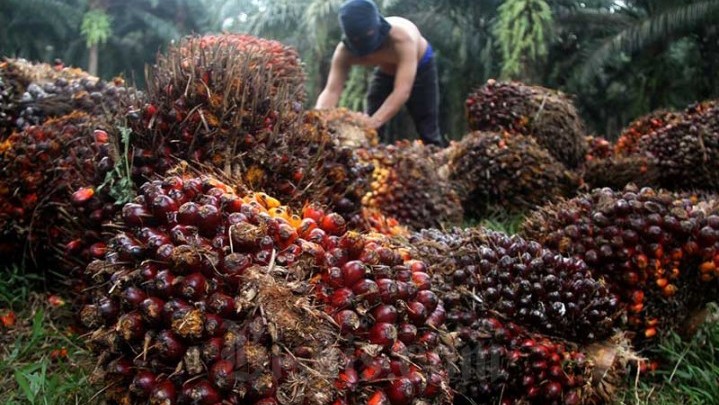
(234, 102)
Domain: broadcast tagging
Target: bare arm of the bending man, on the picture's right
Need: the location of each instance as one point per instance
(403, 82)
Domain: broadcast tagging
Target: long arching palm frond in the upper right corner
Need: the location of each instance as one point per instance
(646, 31)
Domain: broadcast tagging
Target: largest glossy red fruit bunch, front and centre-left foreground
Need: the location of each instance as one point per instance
(208, 296)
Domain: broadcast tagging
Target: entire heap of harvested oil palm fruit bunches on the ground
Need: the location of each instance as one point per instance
(274, 264)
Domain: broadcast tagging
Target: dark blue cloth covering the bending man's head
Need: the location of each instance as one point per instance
(363, 26)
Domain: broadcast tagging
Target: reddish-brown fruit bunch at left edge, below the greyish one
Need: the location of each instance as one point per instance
(52, 207)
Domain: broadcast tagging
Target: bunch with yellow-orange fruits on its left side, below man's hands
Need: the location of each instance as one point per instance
(406, 185)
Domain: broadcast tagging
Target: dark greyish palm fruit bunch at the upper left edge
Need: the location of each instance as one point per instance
(34, 92)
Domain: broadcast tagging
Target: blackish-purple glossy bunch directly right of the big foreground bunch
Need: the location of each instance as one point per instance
(483, 271)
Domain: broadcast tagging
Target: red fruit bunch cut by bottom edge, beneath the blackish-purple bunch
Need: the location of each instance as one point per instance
(502, 362)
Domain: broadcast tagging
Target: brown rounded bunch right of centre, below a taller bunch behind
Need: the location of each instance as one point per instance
(512, 172)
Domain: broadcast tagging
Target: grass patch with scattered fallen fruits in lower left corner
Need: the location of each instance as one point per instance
(41, 360)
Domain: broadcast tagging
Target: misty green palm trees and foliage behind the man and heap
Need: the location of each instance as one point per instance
(621, 59)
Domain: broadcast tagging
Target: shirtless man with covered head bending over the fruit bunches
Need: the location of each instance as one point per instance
(405, 71)
